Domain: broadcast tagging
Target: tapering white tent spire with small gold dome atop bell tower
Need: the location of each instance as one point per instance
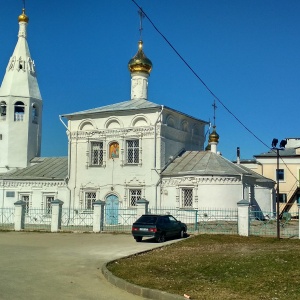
(20, 77)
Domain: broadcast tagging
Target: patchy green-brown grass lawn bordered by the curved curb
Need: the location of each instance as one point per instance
(219, 267)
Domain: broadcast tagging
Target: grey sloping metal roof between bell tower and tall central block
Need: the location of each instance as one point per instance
(41, 168)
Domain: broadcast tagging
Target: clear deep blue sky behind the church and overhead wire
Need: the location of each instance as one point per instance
(247, 52)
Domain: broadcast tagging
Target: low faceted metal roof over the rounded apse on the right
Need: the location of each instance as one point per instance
(208, 163)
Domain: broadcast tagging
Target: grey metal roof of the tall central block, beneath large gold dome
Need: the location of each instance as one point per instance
(134, 104)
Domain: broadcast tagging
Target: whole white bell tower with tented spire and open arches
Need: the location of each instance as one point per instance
(20, 107)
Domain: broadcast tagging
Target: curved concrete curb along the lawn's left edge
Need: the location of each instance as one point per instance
(136, 289)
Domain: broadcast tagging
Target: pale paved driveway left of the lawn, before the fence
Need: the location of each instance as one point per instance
(62, 265)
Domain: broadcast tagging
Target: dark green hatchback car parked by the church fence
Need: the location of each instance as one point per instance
(158, 226)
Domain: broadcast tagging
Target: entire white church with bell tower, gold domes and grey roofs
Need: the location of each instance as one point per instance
(118, 153)
